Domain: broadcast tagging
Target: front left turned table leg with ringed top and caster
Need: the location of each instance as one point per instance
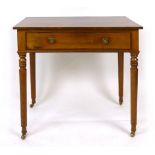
(23, 92)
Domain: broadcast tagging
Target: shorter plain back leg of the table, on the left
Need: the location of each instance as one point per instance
(33, 79)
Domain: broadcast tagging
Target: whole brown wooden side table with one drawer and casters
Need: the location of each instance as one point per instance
(78, 34)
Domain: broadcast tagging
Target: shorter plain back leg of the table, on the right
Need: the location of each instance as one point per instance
(120, 75)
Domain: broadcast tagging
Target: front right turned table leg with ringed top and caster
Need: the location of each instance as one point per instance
(134, 85)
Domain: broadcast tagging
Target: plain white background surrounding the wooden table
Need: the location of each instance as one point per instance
(77, 109)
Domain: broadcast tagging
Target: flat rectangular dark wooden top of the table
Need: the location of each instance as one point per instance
(98, 22)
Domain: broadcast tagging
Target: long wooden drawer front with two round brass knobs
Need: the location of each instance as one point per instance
(71, 40)
